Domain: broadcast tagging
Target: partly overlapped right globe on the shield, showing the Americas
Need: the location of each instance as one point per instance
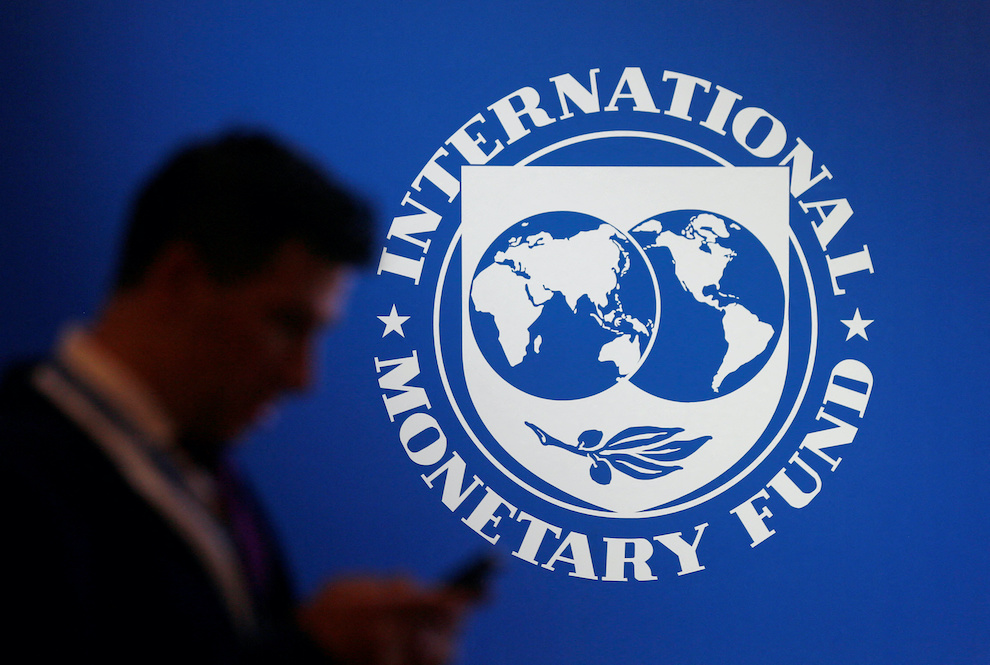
(723, 305)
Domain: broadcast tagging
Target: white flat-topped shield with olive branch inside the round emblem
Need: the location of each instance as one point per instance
(660, 451)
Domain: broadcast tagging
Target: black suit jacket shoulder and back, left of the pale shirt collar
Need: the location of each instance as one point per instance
(82, 534)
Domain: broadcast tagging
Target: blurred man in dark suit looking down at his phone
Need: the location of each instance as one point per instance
(128, 535)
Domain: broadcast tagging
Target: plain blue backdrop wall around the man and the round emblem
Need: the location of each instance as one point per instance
(887, 565)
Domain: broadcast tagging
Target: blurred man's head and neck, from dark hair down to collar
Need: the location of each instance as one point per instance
(234, 260)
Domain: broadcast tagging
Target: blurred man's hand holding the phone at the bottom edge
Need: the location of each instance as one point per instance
(378, 621)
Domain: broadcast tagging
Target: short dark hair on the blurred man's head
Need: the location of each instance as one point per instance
(237, 200)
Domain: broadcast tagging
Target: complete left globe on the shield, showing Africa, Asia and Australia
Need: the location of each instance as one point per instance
(563, 305)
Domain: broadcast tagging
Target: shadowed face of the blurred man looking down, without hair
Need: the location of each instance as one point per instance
(254, 339)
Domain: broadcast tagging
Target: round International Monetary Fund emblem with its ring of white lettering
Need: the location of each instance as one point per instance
(612, 328)
